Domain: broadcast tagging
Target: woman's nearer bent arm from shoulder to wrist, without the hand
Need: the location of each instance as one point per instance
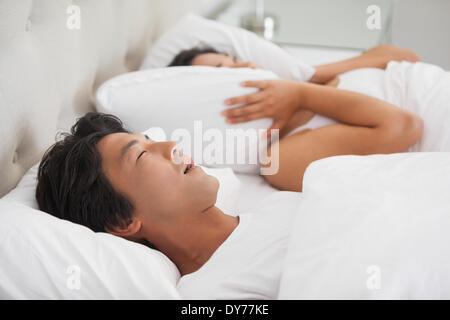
(369, 126)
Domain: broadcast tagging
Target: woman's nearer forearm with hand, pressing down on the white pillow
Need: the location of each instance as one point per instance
(280, 99)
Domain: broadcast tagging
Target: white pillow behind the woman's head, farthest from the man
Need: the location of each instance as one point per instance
(195, 31)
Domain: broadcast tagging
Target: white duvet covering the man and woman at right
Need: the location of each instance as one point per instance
(379, 226)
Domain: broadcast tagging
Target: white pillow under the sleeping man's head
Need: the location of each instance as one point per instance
(40, 253)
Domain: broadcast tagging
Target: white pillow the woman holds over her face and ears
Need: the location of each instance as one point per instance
(187, 101)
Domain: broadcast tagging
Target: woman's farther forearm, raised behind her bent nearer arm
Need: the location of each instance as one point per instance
(377, 57)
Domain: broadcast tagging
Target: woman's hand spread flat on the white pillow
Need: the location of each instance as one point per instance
(277, 99)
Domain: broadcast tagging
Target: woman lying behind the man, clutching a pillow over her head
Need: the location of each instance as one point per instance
(345, 122)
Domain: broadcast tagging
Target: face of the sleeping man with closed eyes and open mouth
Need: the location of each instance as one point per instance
(152, 176)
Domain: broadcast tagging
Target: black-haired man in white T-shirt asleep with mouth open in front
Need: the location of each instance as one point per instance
(111, 180)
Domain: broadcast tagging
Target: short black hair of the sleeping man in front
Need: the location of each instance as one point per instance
(71, 184)
